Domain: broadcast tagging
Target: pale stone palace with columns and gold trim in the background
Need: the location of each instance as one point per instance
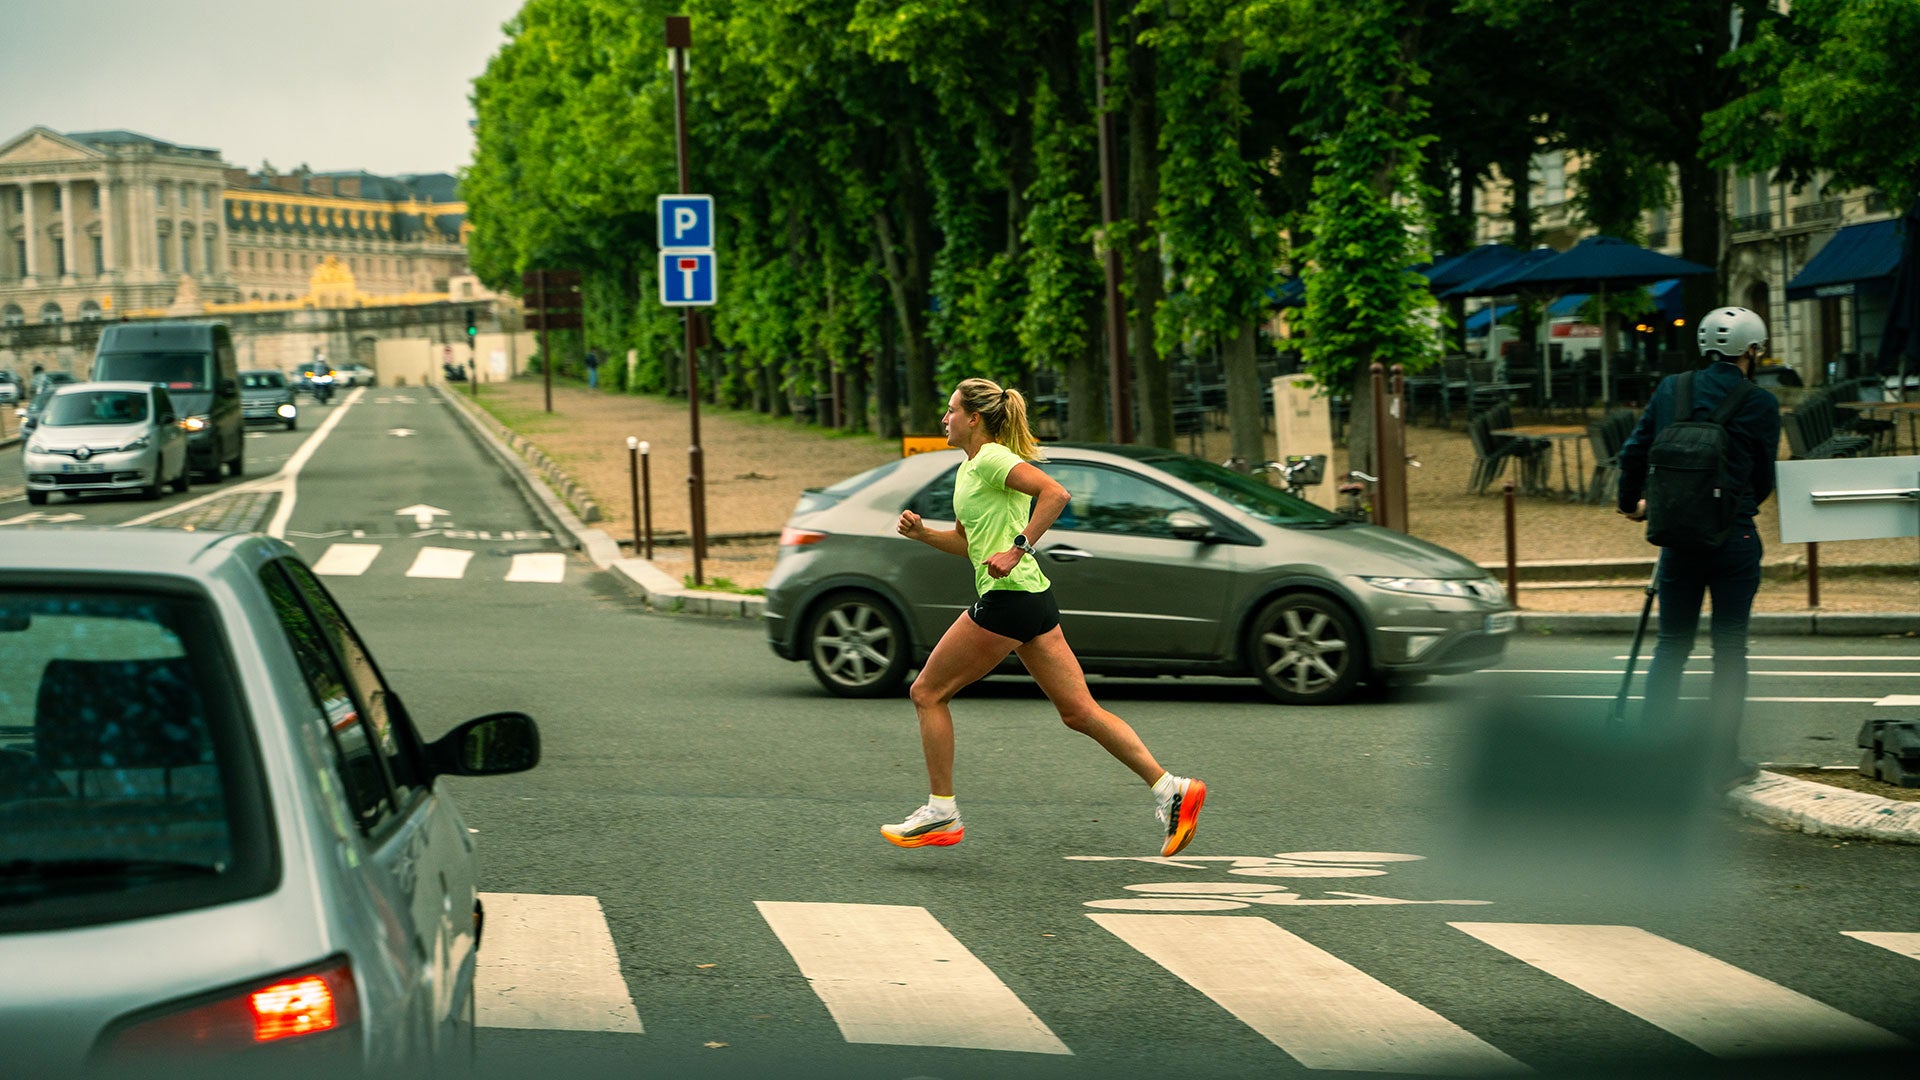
(108, 224)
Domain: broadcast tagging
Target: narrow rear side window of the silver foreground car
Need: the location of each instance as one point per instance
(356, 760)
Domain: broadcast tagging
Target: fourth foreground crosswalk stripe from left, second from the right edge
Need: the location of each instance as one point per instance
(1712, 1004)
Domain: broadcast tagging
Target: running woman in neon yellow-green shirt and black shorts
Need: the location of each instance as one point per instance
(1003, 506)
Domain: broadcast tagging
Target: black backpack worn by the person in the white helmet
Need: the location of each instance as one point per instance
(1689, 499)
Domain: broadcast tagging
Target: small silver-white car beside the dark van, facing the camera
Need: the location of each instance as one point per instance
(107, 437)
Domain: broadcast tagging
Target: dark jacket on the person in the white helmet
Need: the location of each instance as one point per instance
(1754, 437)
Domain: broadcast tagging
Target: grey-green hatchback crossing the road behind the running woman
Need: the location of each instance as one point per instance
(1164, 566)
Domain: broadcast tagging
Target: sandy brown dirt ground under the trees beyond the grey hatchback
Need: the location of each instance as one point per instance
(759, 466)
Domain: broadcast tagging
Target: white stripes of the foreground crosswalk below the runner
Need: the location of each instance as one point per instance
(894, 975)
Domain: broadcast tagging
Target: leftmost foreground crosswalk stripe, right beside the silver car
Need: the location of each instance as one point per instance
(548, 964)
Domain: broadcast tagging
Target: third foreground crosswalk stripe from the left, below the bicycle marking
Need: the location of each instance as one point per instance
(1314, 1006)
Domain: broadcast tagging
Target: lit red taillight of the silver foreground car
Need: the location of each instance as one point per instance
(287, 1008)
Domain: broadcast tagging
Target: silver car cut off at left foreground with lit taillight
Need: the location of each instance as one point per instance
(222, 833)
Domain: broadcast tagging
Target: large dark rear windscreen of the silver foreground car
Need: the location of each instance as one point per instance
(128, 781)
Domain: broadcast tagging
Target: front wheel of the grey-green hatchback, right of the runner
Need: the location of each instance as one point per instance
(1307, 650)
